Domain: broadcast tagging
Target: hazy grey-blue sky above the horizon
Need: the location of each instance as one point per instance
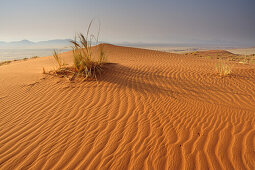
(149, 21)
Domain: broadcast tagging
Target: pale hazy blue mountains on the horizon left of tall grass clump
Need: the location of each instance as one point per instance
(26, 44)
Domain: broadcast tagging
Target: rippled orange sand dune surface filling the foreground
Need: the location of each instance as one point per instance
(150, 110)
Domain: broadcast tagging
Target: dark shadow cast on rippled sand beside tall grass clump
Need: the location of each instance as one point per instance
(136, 79)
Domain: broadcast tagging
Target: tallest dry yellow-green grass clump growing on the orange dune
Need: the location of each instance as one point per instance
(88, 60)
